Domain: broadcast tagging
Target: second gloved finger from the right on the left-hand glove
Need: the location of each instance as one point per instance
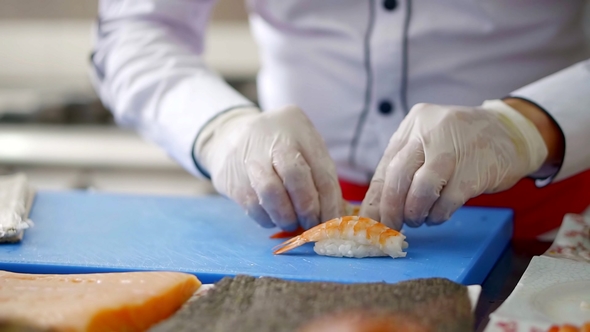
(295, 173)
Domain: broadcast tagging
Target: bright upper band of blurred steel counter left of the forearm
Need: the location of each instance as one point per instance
(81, 146)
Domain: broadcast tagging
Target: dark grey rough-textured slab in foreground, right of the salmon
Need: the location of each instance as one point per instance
(244, 304)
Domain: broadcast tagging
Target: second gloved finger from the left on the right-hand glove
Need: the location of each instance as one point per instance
(398, 179)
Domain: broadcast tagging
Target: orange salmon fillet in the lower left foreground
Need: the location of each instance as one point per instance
(93, 302)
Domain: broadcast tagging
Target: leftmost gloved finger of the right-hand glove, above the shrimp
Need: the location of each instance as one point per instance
(370, 206)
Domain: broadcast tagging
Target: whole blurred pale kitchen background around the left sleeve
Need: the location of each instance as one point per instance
(53, 127)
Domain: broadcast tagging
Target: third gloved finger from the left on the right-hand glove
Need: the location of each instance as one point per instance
(426, 187)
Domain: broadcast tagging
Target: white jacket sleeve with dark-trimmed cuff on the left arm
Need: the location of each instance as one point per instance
(147, 70)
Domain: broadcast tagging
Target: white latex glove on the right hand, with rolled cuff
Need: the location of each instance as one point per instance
(441, 156)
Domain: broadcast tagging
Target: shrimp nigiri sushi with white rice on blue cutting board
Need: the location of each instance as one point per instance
(350, 236)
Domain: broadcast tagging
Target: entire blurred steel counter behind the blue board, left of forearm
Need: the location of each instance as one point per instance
(104, 158)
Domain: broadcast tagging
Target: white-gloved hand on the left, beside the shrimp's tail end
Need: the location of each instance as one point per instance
(274, 164)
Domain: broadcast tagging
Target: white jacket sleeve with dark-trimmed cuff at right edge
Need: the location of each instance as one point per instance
(565, 96)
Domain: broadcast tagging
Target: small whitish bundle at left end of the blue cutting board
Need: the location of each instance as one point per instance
(16, 198)
